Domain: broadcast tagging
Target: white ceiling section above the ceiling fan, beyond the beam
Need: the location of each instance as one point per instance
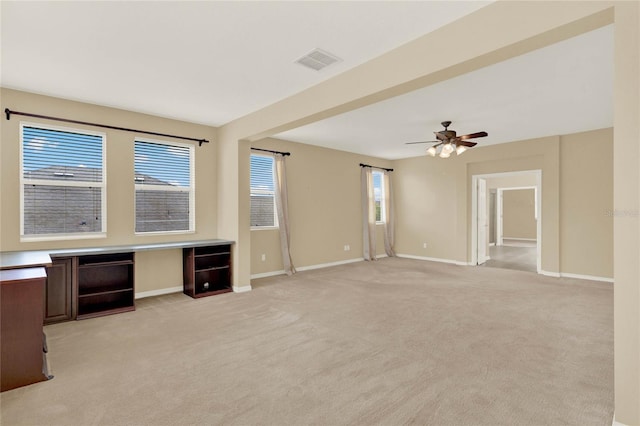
(561, 89)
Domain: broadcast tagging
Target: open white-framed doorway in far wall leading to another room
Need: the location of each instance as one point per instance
(506, 222)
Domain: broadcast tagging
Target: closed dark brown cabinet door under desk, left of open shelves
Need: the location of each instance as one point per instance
(57, 297)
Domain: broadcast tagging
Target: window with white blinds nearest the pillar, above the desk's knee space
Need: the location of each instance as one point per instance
(164, 187)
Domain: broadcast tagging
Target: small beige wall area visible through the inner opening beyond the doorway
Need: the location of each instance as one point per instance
(518, 214)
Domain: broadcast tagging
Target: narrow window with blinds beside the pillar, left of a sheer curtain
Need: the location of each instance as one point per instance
(263, 205)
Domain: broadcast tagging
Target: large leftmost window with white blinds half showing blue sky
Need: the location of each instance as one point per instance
(62, 183)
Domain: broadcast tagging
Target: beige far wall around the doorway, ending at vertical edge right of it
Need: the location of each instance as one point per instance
(436, 198)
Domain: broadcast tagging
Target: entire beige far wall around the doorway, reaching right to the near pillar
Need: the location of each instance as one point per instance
(434, 200)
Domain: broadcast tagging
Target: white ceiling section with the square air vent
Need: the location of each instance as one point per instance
(205, 62)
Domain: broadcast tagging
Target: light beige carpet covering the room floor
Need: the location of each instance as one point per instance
(391, 342)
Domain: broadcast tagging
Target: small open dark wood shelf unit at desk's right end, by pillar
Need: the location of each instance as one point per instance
(207, 270)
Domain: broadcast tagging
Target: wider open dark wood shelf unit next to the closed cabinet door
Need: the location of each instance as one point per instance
(105, 284)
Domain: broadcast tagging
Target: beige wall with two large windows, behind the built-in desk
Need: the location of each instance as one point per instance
(119, 175)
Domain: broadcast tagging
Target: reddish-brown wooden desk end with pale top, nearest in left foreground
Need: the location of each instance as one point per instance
(22, 360)
